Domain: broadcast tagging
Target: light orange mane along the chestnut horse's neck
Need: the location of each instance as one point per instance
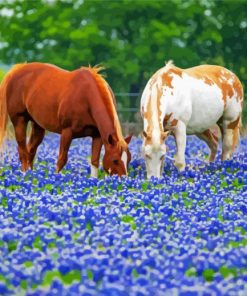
(107, 97)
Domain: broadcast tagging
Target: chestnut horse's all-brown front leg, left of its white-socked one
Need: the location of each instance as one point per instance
(65, 141)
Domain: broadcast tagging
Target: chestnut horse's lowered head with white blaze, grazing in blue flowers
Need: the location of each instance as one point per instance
(117, 156)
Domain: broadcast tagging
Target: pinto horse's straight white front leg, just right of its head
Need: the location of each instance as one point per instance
(180, 137)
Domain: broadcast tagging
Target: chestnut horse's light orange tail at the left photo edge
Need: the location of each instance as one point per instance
(3, 102)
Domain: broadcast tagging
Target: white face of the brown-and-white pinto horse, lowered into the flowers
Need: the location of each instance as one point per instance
(154, 151)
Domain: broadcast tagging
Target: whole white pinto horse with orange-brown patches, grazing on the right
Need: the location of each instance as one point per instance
(189, 101)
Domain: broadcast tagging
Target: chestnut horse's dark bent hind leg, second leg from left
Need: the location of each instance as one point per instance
(37, 135)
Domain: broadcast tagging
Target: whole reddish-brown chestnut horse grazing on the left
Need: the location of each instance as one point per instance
(74, 104)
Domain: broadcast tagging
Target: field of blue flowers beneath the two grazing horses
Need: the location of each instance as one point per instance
(69, 234)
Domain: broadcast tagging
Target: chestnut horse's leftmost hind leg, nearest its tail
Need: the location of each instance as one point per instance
(20, 126)
